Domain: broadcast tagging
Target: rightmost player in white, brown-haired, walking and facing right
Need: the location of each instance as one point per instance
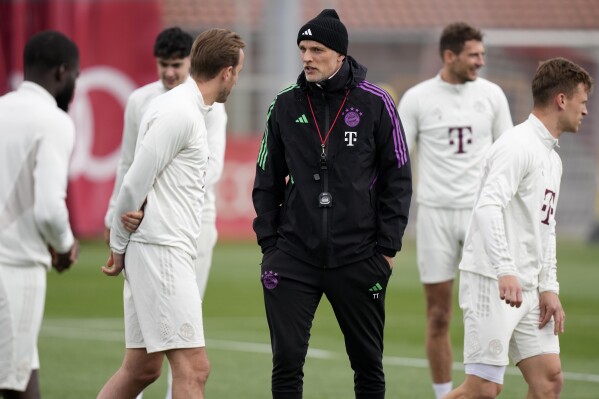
(508, 274)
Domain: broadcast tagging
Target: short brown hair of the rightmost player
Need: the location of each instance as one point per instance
(558, 75)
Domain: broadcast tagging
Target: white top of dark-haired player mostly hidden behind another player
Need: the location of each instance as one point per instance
(216, 123)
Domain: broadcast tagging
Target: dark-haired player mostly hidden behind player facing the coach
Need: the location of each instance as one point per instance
(171, 49)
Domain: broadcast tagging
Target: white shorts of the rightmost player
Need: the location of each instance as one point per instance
(493, 329)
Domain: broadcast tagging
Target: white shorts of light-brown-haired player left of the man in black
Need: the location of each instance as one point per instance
(162, 304)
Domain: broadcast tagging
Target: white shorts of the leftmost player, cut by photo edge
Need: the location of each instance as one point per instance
(22, 299)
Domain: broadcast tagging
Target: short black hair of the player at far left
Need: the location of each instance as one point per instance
(49, 49)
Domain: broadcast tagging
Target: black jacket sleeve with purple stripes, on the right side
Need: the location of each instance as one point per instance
(394, 180)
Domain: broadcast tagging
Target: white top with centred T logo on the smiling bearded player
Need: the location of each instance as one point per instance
(454, 125)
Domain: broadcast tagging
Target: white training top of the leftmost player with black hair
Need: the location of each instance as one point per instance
(36, 142)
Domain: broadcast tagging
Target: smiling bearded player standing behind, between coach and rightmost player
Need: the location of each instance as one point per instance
(452, 119)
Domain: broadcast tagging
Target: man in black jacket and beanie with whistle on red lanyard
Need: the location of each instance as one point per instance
(332, 194)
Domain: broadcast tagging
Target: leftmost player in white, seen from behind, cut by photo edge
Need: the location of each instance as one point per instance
(36, 141)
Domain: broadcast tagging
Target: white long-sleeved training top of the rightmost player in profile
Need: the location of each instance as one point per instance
(512, 230)
